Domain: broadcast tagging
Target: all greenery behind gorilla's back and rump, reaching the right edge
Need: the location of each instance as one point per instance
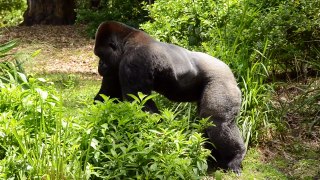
(258, 39)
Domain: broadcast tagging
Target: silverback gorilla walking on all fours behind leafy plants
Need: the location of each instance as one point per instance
(131, 61)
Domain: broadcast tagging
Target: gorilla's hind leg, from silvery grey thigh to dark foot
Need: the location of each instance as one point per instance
(221, 102)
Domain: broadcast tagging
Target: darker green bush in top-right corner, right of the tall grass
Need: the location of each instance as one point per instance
(293, 30)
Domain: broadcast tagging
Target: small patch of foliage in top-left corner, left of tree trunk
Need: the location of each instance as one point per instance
(11, 12)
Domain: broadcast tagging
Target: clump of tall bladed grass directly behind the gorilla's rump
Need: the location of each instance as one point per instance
(251, 71)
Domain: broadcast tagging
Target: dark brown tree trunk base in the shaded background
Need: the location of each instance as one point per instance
(54, 12)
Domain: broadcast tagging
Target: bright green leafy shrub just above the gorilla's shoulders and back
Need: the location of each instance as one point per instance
(182, 22)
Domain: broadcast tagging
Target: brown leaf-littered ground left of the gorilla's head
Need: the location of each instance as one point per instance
(61, 49)
